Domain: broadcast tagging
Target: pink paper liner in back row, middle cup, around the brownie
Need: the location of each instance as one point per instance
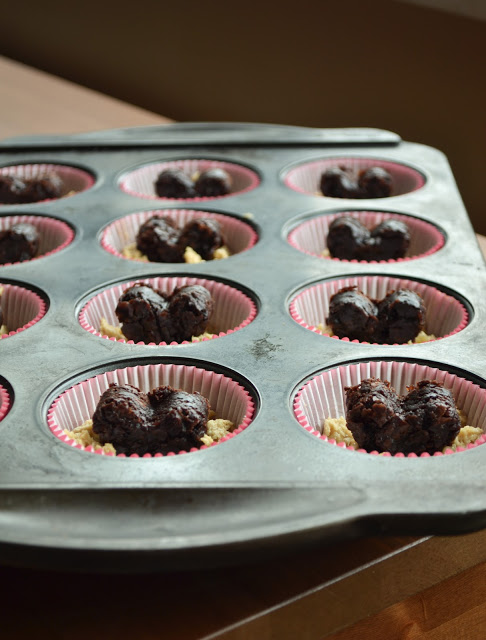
(140, 182)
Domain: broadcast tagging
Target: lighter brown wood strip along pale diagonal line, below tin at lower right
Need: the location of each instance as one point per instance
(369, 589)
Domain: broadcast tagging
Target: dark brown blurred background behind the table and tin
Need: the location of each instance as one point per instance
(417, 71)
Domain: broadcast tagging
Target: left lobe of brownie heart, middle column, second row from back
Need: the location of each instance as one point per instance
(158, 239)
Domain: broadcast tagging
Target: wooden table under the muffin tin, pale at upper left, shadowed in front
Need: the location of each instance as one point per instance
(380, 588)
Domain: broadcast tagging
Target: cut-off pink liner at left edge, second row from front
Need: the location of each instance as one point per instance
(21, 308)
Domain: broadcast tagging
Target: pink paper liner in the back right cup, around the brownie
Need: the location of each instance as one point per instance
(306, 177)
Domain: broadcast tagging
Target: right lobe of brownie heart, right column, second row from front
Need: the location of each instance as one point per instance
(401, 316)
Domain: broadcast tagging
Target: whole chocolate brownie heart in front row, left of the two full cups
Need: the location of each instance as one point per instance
(162, 421)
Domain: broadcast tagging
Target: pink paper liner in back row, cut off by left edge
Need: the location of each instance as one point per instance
(74, 180)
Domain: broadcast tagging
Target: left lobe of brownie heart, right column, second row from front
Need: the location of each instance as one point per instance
(353, 315)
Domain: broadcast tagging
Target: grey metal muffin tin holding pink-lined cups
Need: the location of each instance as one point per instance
(273, 482)
